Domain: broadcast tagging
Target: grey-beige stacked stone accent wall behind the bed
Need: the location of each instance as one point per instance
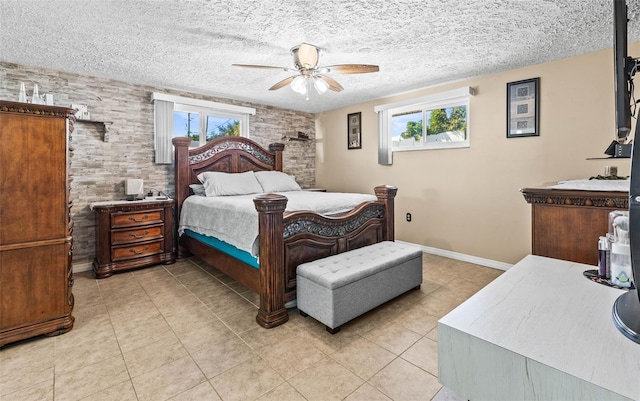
(99, 168)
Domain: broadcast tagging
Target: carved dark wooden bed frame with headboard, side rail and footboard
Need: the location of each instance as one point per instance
(285, 239)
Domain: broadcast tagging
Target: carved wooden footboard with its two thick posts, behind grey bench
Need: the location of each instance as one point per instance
(287, 240)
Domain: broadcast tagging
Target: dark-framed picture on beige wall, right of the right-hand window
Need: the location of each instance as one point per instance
(523, 108)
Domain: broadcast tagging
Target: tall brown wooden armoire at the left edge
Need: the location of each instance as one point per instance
(35, 227)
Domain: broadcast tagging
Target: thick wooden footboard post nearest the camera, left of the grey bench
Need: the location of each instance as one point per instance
(270, 208)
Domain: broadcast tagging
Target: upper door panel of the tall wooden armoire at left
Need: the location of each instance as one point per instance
(32, 187)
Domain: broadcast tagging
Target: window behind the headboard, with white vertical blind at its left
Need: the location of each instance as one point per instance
(201, 120)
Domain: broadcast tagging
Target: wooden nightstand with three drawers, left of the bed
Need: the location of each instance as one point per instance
(132, 234)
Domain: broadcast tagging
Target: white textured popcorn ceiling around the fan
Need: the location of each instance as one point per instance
(191, 44)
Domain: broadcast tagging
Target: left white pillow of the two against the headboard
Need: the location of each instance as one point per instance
(222, 184)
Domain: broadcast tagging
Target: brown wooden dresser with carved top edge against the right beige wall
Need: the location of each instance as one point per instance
(566, 224)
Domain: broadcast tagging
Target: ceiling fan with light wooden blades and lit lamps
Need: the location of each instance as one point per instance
(306, 58)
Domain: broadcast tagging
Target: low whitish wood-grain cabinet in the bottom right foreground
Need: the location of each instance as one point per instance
(545, 311)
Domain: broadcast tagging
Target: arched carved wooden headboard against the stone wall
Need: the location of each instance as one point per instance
(228, 154)
